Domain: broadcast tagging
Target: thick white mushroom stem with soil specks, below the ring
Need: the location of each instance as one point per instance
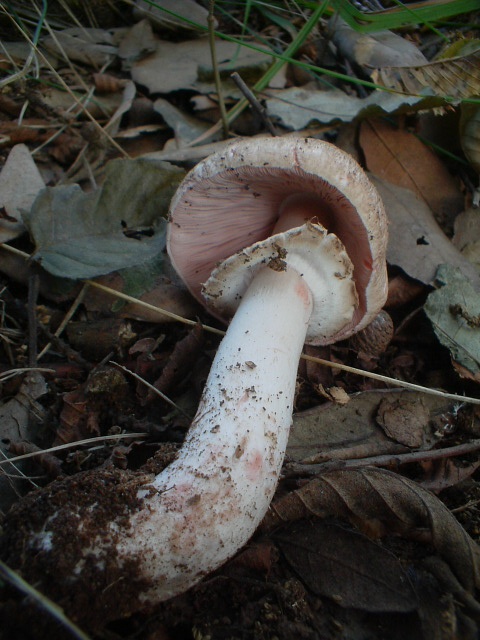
(210, 500)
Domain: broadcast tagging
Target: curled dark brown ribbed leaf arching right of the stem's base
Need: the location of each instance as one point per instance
(383, 502)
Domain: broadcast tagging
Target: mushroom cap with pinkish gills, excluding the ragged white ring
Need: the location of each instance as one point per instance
(233, 199)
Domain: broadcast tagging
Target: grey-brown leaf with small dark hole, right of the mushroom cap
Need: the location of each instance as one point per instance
(419, 245)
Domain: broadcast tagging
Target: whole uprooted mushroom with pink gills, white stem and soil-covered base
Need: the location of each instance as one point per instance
(288, 236)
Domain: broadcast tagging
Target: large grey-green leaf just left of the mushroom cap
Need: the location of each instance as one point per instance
(80, 235)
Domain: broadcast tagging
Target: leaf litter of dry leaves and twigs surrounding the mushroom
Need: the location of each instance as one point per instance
(369, 541)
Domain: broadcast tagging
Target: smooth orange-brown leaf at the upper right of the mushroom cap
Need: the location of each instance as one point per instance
(399, 157)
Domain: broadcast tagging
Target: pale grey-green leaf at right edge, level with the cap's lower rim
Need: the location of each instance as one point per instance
(454, 311)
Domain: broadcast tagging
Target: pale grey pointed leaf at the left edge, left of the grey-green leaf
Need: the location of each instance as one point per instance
(20, 182)
